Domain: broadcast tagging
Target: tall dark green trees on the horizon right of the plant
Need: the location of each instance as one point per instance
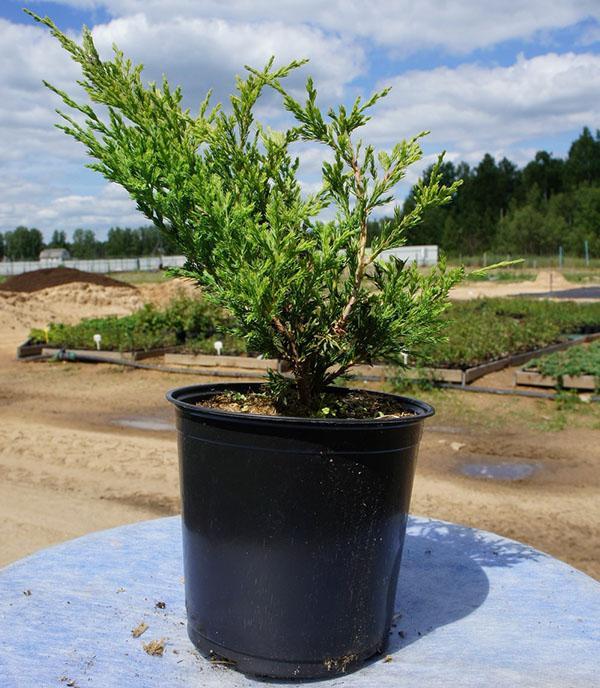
(548, 204)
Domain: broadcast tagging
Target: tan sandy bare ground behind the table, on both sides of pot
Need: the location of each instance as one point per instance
(69, 466)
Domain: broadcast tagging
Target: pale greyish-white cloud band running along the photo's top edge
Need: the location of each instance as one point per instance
(458, 27)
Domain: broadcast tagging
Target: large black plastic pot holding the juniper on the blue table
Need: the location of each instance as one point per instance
(292, 533)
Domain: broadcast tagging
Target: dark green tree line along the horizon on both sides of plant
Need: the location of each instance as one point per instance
(550, 203)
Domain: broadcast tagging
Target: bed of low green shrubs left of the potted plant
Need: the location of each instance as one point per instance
(184, 320)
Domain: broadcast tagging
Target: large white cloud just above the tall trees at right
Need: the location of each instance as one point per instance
(473, 108)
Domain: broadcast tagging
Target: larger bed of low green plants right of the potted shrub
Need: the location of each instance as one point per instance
(484, 330)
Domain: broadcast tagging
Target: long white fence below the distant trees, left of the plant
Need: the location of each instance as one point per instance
(99, 265)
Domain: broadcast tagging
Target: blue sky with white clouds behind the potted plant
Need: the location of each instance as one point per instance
(506, 78)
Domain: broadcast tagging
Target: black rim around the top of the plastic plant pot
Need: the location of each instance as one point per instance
(180, 397)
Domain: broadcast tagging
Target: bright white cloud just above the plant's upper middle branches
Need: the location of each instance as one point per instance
(202, 53)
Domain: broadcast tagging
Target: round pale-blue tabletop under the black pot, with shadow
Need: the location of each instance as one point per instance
(473, 610)
